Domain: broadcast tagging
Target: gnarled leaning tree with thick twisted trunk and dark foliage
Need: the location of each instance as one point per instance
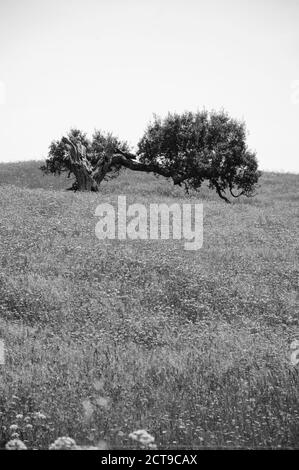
(189, 148)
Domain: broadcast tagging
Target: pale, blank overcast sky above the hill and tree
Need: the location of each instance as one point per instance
(111, 64)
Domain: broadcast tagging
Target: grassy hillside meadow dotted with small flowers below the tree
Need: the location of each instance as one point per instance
(106, 337)
